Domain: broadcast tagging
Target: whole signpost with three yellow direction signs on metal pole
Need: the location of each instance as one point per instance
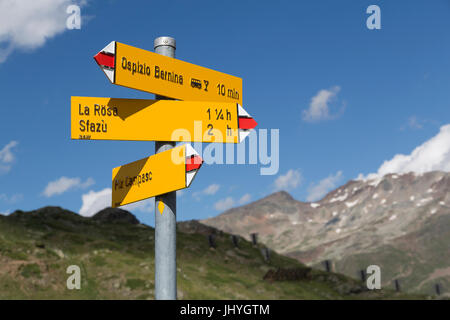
(211, 112)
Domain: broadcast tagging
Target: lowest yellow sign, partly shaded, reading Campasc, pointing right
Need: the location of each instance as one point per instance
(163, 172)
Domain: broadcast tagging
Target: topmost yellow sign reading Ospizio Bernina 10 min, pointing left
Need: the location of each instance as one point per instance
(144, 70)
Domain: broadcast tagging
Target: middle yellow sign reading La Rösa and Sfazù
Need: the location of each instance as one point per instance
(158, 120)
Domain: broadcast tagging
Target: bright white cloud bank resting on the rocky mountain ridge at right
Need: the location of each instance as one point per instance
(433, 154)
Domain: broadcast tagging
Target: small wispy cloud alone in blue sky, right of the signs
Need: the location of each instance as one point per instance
(318, 108)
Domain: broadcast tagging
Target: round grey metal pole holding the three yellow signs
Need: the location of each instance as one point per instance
(165, 212)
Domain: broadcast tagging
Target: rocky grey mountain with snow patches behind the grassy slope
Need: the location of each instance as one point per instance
(398, 222)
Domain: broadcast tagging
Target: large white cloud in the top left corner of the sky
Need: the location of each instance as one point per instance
(28, 24)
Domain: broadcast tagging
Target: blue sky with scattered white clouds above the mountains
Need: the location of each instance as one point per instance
(370, 94)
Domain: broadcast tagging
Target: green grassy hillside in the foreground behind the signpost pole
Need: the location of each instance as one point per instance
(117, 262)
